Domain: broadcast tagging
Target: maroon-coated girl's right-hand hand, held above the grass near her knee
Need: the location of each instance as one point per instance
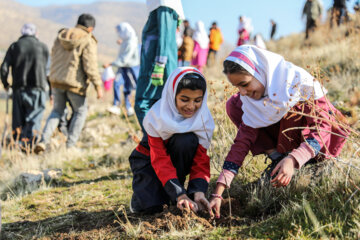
(285, 171)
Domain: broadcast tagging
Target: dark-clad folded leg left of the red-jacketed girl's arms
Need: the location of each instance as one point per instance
(148, 193)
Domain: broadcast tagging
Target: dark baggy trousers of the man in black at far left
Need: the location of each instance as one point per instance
(28, 110)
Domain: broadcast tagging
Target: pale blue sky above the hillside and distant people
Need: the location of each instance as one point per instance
(287, 13)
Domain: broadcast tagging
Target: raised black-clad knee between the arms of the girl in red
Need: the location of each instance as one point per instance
(182, 148)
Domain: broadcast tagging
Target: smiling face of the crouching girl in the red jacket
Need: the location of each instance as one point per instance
(188, 101)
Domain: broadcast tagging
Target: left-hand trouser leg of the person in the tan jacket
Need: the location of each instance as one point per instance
(55, 115)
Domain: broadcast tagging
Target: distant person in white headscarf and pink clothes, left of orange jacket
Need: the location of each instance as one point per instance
(201, 46)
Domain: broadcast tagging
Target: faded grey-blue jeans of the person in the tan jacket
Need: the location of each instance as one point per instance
(79, 106)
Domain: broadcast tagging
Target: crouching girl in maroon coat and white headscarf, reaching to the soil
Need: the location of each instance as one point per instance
(270, 87)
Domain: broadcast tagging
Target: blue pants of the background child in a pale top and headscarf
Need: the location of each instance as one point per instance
(125, 76)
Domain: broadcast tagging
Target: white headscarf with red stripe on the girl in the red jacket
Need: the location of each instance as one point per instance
(164, 120)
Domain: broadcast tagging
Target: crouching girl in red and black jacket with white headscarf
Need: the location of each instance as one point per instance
(179, 128)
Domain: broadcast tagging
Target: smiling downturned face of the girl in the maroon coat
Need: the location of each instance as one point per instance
(247, 85)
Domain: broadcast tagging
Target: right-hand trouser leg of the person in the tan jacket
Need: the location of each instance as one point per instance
(79, 105)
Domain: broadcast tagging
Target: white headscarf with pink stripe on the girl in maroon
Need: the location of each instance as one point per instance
(285, 85)
